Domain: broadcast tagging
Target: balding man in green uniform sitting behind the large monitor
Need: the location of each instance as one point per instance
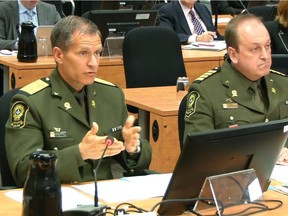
(244, 90)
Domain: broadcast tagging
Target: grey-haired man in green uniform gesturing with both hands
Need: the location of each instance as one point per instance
(71, 113)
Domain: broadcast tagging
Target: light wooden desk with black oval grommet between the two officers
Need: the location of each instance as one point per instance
(158, 117)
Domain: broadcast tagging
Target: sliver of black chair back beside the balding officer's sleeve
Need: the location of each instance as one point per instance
(181, 121)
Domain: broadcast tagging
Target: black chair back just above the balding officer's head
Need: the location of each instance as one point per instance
(266, 13)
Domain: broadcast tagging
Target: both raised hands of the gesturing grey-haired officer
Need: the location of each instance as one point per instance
(92, 145)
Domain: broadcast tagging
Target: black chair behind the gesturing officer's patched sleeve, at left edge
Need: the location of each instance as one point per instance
(6, 176)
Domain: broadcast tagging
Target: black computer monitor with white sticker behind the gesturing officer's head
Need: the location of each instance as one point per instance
(119, 22)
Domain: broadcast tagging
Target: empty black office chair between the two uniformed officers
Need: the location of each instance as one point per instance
(152, 56)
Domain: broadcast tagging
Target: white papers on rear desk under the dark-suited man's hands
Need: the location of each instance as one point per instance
(214, 46)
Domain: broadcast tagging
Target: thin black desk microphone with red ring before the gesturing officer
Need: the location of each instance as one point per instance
(96, 209)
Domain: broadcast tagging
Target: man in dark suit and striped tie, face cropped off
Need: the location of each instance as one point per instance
(177, 16)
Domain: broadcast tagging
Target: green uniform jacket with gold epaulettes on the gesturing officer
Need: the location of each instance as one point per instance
(46, 115)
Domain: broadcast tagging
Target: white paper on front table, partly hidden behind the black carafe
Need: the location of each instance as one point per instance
(71, 198)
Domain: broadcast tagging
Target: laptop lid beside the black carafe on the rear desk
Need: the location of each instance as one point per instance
(43, 32)
